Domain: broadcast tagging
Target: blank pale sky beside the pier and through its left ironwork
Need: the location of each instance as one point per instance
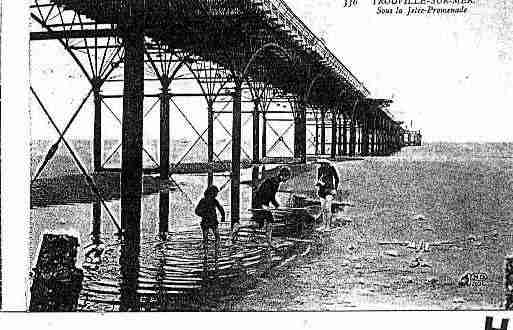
(451, 76)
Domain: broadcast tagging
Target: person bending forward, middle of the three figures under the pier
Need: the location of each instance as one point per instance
(265, 195)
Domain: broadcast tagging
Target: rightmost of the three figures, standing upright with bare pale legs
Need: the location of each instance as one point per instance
(327, 183)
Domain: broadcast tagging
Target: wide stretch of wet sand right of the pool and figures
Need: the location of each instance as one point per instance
(433, 194)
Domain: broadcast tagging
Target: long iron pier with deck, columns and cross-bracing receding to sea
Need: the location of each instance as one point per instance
(267, 91)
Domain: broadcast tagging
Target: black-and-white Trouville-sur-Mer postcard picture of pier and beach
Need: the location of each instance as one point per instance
(269, 155)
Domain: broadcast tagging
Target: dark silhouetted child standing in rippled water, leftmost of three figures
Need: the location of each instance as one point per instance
(206, 209)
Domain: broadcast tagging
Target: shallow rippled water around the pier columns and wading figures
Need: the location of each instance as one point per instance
(171, 274)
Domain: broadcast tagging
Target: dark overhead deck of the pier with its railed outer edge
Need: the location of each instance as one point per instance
(232, 33)
